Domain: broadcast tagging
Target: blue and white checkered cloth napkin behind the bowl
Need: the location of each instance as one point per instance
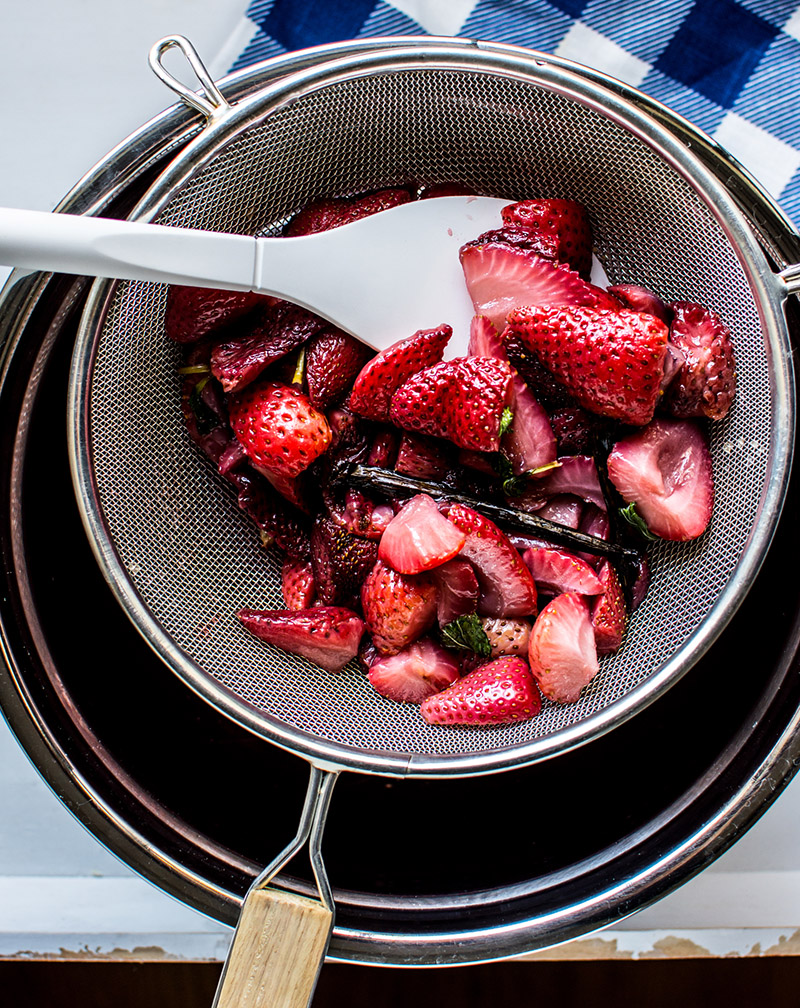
(730, 67)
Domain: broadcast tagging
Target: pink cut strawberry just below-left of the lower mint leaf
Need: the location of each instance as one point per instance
(420, 671)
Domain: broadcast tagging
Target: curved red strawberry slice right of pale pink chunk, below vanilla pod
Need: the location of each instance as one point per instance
(506, 584)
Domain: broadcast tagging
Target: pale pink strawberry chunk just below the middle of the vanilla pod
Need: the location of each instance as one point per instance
(420, 538)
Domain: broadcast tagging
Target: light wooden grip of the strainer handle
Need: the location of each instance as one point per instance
(279, 948)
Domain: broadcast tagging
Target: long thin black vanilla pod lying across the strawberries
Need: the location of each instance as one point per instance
(392, 484)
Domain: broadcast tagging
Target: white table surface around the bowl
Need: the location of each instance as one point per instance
(75, 82)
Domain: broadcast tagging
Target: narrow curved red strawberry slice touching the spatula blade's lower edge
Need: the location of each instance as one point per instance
(377, 382)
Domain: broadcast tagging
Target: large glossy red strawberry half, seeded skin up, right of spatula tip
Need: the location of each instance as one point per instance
(611, 362)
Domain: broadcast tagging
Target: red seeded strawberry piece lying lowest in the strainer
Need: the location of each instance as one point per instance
(499, 693)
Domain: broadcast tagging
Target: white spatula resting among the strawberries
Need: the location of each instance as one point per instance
(380, 279)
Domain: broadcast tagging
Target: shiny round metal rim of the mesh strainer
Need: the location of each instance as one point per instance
(569, 81)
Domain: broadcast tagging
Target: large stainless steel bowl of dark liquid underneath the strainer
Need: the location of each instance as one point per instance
(189, 850)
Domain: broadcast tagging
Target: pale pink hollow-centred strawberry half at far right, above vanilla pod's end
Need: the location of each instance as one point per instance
(665, 470)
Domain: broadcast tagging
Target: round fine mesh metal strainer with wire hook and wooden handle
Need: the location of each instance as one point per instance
(179, 554)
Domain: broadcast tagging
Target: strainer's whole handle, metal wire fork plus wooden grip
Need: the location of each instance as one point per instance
(281, 942)
